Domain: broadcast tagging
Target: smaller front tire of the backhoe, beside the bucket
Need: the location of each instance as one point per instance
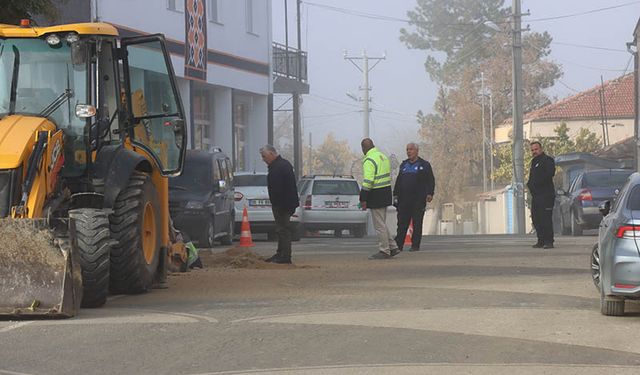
(93, 242)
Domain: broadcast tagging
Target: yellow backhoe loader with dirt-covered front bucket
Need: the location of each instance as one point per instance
(91, 127)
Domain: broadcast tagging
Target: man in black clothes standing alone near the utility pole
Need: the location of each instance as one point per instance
(543, 195)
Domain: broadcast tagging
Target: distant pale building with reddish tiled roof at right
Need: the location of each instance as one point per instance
(583, 110)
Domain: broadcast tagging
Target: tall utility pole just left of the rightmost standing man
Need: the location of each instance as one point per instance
(518, 142)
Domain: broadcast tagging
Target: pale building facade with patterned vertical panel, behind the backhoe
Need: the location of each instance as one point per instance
(221, 53)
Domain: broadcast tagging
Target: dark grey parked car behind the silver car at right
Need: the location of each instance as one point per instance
(578, 207)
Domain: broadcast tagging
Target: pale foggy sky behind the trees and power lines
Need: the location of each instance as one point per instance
(400, 85)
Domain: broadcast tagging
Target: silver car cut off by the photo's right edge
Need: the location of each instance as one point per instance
(615, 259)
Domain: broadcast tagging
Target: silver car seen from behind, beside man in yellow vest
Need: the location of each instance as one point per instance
(331, 203)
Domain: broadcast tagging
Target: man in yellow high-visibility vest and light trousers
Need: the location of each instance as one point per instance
(376, 196)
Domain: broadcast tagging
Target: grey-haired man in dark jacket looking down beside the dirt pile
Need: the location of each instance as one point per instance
(283, 193)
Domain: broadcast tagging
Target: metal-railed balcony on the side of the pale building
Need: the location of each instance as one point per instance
(289, 70)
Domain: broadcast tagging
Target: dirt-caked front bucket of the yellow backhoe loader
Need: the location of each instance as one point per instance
(40, 273)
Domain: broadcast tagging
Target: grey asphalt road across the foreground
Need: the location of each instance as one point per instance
(462, 305)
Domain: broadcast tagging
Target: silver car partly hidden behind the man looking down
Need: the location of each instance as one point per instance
(251, 192)
